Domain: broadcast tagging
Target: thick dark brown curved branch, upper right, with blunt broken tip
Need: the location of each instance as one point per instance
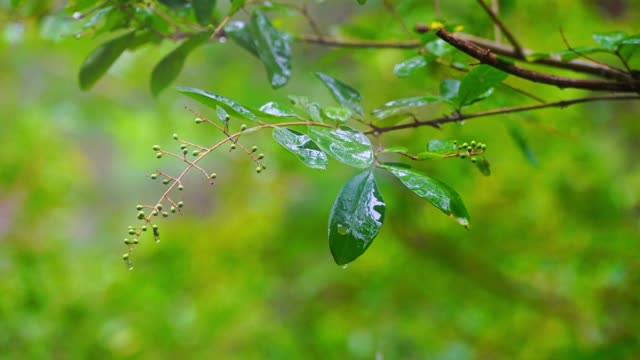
(485, 56)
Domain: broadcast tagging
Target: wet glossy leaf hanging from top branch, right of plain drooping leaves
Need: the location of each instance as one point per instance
(273, 49)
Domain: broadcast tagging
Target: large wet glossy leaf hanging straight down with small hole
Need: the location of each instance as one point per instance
(356, 218)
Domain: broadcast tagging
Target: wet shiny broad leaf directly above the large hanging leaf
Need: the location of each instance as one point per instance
(345, 144)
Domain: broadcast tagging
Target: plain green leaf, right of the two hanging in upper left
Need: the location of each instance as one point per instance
(171, 65)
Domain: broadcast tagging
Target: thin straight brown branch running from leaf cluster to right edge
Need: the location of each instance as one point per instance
(460, 117)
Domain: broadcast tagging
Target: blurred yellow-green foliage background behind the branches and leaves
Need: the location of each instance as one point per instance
(550, 268)
